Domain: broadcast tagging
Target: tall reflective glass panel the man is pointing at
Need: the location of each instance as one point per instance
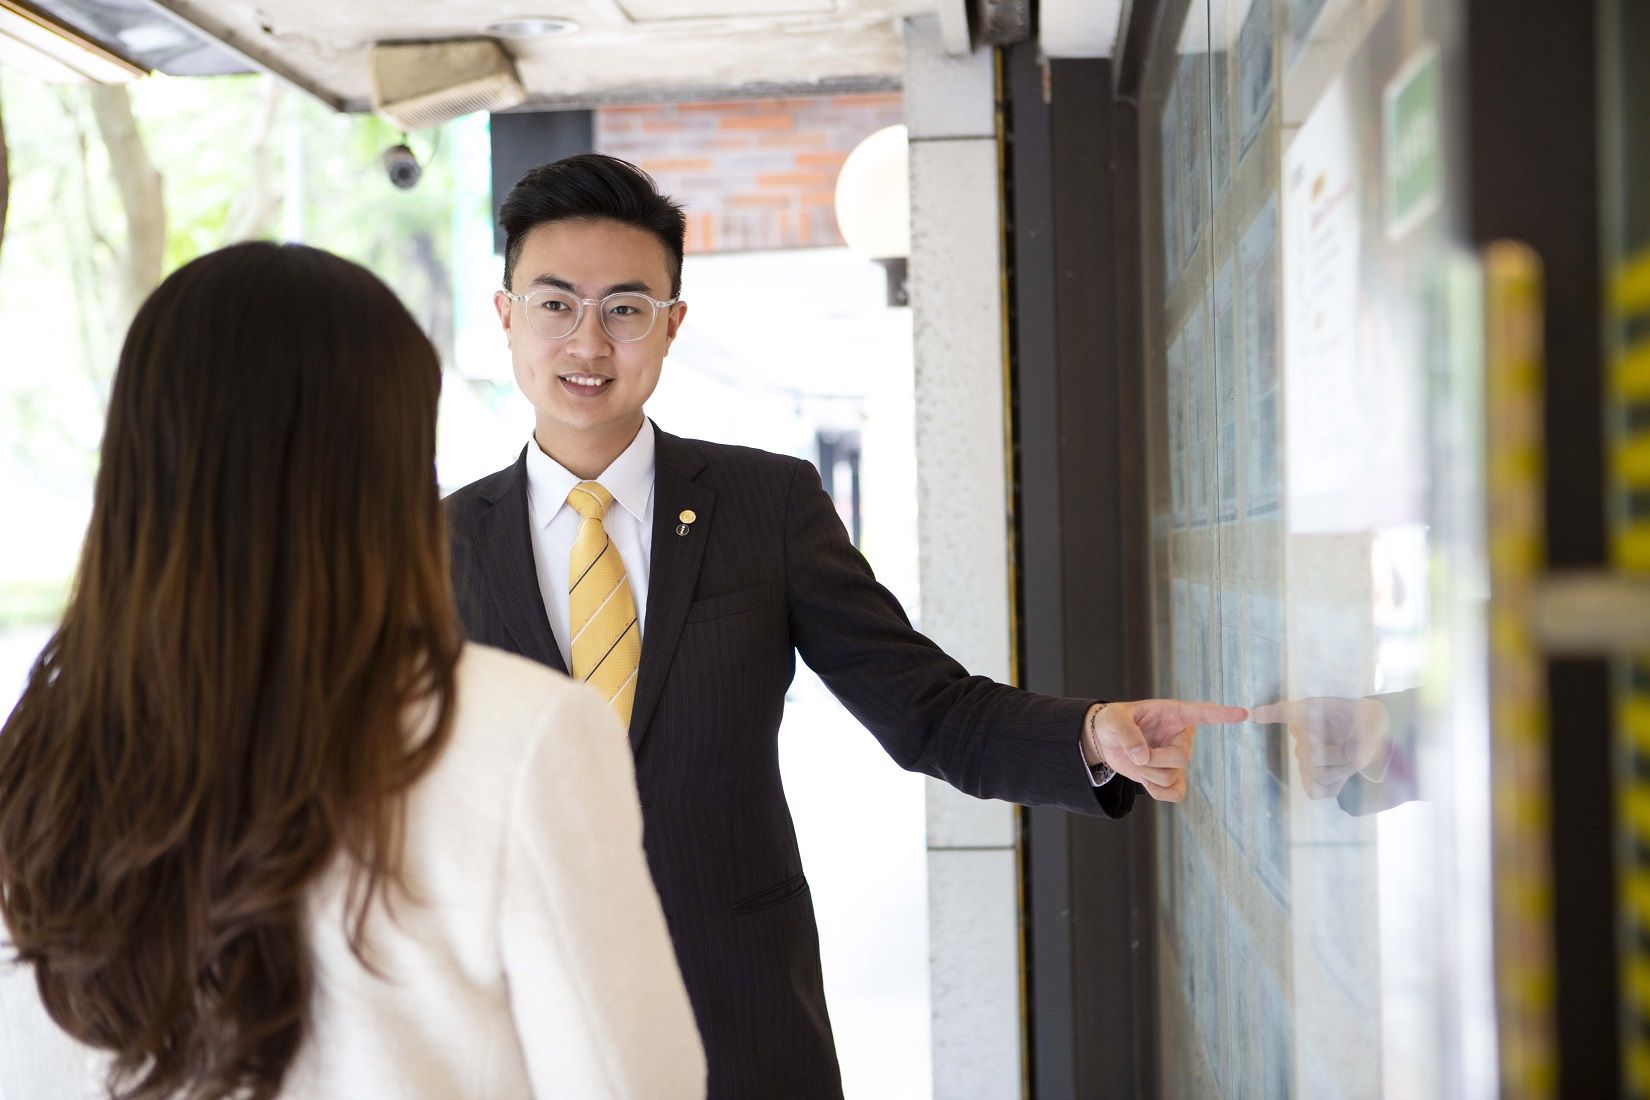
(1322, 911)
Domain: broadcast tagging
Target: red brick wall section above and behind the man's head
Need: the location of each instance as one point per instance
(752, 174)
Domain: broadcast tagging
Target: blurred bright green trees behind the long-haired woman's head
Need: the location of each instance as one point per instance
(108, 189)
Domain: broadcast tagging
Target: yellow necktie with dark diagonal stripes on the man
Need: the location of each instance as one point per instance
(601, 613)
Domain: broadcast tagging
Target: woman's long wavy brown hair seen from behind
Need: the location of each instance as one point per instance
(262, 611)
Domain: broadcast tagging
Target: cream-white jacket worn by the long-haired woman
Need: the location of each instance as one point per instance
(529, 959)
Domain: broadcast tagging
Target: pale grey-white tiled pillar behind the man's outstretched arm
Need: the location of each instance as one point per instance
(964, 538)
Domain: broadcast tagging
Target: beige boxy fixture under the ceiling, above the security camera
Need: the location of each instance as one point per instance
(420, 85)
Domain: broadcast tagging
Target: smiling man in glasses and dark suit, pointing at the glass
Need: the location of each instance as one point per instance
(682, 578)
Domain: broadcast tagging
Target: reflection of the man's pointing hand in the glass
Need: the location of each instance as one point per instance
(1336, 740)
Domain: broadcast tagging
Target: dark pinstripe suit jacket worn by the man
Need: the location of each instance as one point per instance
(765, 573)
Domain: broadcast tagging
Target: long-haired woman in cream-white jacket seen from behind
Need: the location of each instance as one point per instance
(268, 827)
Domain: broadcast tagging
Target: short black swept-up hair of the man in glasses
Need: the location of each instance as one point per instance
(592, 187)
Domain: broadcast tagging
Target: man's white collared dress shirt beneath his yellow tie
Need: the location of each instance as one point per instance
(555, 525)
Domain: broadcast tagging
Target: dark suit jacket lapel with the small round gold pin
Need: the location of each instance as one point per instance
(674, 570)
